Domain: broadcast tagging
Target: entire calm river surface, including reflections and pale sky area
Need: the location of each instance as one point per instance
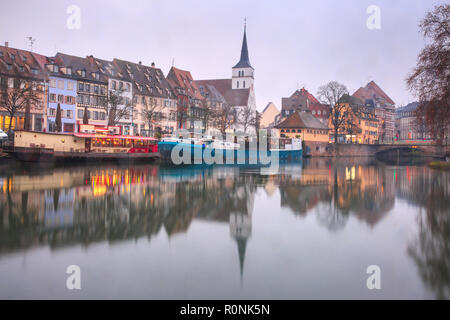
(306, 231)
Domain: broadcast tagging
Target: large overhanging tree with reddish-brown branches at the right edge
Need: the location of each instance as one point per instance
(430, 79)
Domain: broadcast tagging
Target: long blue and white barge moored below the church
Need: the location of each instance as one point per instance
(213, 151)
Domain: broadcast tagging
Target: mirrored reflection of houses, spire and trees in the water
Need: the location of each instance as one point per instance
(64, 206)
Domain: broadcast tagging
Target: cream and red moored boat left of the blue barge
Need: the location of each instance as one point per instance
(38, 146)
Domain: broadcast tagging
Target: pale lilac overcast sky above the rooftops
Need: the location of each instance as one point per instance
(291, 43)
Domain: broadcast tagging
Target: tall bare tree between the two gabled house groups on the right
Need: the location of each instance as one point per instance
(331, 94)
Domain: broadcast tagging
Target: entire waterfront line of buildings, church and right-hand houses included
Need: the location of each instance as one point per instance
(79, 90)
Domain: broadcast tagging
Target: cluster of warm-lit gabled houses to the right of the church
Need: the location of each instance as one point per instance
(371, 117)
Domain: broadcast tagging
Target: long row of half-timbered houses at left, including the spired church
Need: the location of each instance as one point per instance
(147, 101)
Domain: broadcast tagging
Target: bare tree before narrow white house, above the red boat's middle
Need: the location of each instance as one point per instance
(116, 106)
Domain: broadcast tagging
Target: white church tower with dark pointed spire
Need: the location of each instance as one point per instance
(243, 72)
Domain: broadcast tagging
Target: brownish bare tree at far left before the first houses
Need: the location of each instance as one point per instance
(19, 98)
